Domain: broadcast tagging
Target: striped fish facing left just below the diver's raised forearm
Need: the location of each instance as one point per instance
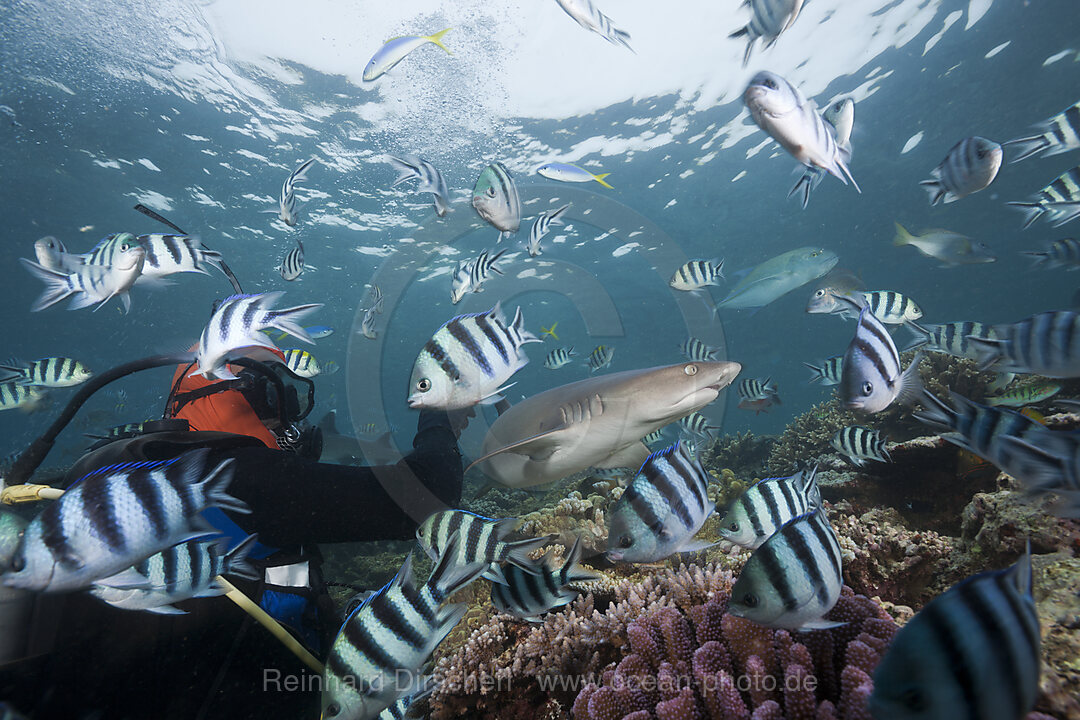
(481, 540)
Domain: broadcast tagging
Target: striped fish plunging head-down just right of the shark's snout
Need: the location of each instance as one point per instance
(872, 377)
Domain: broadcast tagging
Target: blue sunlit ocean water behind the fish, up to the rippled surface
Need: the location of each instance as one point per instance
(114, 105)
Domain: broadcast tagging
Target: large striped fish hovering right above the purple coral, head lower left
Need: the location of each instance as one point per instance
(794, 579)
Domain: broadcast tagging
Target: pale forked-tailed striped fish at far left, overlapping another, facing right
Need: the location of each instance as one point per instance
(92, 284)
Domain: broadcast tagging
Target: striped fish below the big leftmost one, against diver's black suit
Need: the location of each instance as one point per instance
(188, 570)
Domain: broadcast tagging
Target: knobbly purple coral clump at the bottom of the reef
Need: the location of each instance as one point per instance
(706, 664)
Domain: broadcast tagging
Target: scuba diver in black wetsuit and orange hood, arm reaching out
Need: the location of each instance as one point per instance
(86, 659)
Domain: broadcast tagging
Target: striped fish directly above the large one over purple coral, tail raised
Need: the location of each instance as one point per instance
(761, 511)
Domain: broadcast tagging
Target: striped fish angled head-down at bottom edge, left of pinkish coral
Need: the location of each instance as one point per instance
(391, 635)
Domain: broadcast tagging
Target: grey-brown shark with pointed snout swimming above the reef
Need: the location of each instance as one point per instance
(598, 423)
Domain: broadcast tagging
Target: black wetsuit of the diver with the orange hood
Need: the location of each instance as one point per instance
(215, 662)
